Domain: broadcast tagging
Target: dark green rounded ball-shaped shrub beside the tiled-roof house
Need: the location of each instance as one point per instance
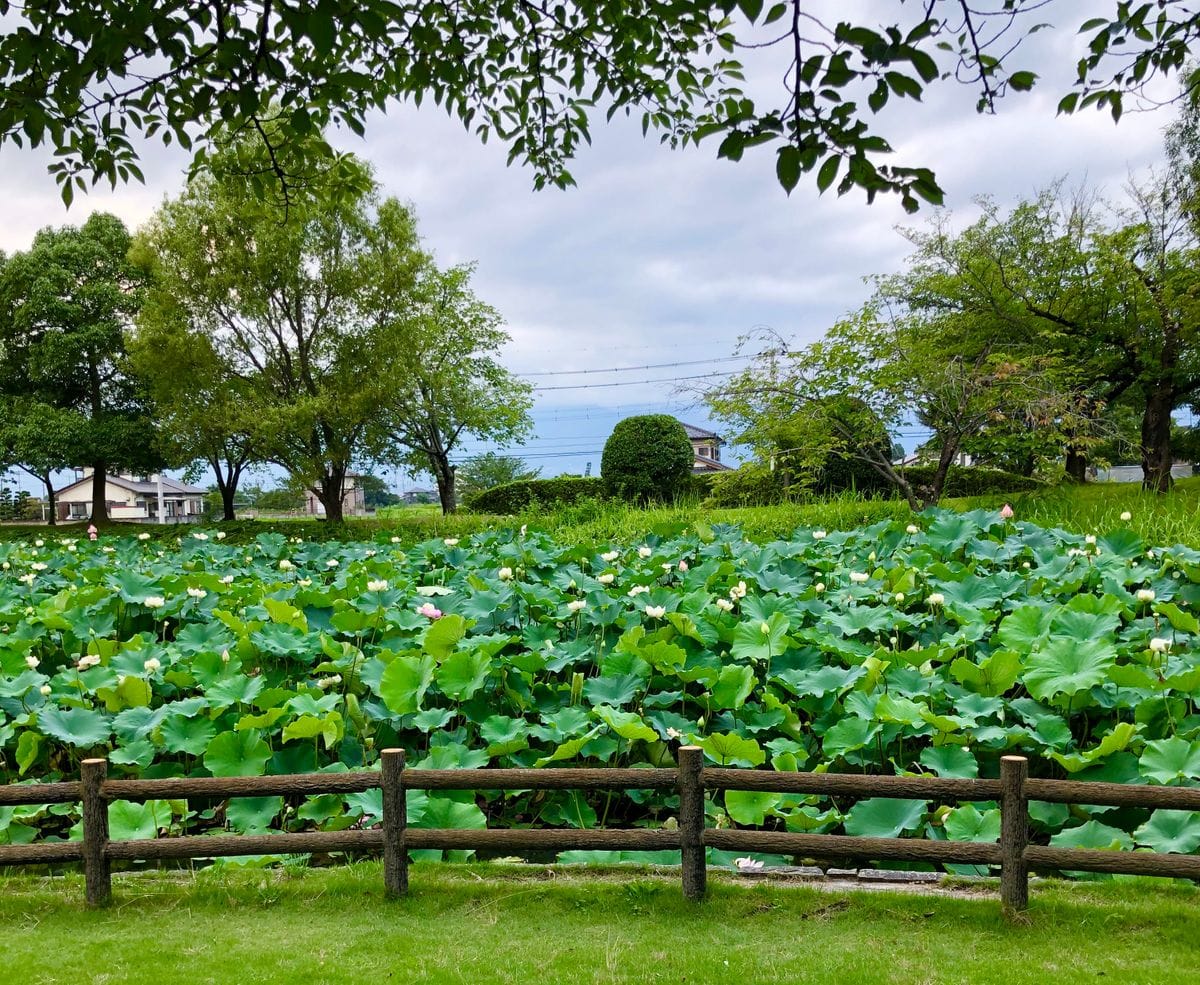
(647, 458)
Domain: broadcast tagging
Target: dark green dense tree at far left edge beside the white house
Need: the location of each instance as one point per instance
(67, 304)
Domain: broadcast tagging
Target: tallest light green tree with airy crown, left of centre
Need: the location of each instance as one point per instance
(297, 305)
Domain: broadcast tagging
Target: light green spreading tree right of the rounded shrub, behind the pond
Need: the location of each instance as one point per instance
(871, 376)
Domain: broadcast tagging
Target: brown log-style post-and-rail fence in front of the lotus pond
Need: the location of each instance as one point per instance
(1013, 854)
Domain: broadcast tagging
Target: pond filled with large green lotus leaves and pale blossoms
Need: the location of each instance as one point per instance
(928, 647)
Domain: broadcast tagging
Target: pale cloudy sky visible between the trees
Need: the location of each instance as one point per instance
(668, 257)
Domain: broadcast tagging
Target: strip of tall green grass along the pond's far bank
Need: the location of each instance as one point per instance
(1095, 508)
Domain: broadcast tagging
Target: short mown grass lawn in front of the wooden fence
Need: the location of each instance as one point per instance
(470, 924)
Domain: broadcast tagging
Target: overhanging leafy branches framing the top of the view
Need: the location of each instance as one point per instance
(92, 81)
